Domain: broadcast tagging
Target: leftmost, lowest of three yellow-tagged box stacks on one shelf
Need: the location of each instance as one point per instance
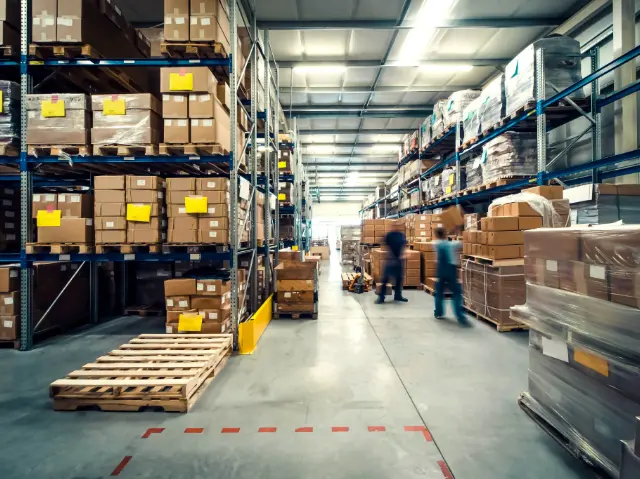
(65, 218)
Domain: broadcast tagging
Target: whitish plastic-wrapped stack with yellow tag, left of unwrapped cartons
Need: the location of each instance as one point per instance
(125, 120)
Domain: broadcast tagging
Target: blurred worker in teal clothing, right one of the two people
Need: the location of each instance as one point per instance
(447, 256)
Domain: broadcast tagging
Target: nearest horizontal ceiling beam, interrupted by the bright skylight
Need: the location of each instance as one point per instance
(520, 22)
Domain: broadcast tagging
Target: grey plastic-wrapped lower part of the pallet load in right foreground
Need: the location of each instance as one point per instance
(593, 416)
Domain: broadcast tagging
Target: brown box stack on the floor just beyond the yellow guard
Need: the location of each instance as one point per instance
(297, 286)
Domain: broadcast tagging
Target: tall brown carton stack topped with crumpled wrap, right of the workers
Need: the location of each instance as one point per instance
(494, 266)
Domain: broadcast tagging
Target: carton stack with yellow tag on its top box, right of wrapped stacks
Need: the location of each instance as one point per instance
(195, 107)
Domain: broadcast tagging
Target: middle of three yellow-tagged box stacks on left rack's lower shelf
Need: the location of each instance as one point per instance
(129, 210)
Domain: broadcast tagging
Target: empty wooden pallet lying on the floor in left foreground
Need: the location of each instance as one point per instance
(167, 371)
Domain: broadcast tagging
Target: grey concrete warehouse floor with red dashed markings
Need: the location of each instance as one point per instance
(360, 366)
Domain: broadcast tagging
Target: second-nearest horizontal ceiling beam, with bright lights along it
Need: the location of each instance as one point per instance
(441, 62)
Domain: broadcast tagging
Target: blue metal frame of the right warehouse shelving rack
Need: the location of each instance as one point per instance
(583, 173)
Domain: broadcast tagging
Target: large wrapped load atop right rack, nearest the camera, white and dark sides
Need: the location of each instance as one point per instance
(561, 70)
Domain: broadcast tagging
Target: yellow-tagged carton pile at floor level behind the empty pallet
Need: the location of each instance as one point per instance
(198, 305)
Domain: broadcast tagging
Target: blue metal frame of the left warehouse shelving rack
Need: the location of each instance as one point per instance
(229, 163)
